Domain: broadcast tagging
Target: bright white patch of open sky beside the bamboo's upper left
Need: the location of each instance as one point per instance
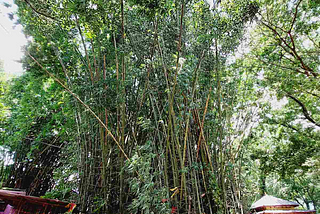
(12, 40)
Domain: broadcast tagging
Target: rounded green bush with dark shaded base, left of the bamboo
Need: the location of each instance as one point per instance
(35, 131)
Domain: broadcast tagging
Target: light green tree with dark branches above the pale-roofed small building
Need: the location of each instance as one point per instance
(284, 48)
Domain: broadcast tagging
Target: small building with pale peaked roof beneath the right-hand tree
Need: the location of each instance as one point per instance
(271, 205)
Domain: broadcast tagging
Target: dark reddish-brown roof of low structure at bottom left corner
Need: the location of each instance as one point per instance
(17, 202)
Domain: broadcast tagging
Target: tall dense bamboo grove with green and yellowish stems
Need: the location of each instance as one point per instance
(160, 111)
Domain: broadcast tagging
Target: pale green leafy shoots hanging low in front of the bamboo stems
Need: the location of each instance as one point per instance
(147, 191)
